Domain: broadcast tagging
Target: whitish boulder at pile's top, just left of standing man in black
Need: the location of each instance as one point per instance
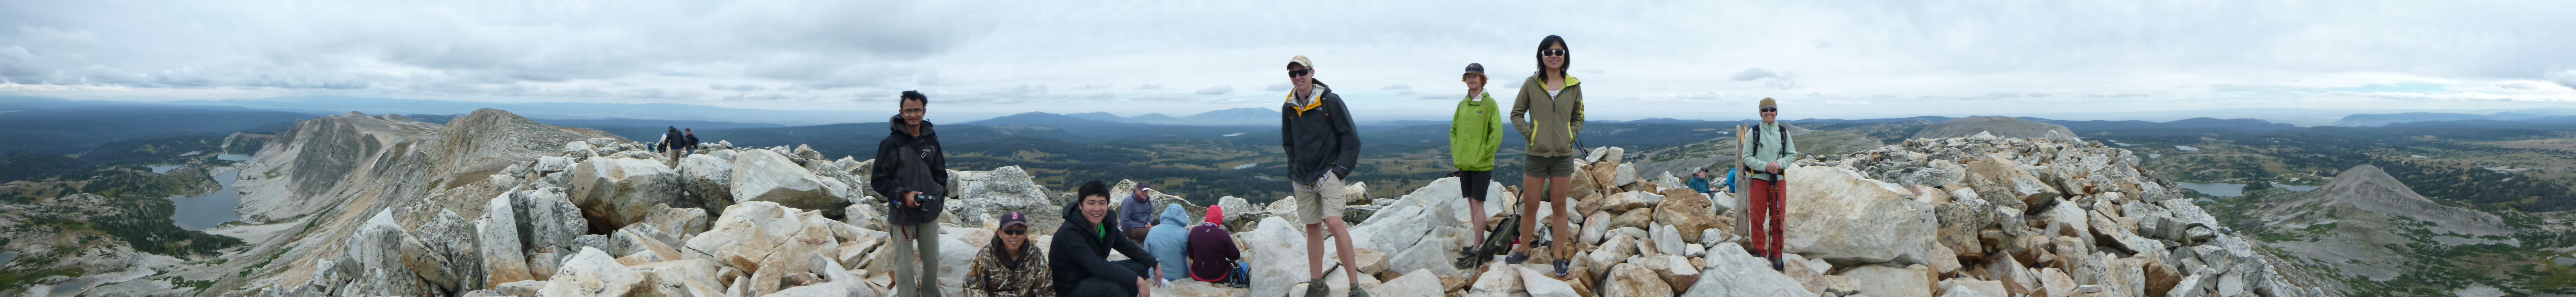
(769, 177)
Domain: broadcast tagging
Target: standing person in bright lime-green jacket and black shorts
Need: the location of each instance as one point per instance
(1475, 136)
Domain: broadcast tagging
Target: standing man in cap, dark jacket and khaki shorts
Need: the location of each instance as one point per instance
(1323, 146)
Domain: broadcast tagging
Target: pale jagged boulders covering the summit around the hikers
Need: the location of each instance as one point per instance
(498, 205)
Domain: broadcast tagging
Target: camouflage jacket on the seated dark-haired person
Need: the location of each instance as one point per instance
(998, 278)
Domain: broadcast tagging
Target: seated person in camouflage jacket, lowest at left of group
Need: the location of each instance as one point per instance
(1011, 267)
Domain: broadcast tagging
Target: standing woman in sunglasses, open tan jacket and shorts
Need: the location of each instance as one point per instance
(1549, 112)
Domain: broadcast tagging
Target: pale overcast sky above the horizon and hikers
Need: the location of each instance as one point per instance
(1395, 58)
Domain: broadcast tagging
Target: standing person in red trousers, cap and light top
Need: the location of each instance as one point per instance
(1768, 159)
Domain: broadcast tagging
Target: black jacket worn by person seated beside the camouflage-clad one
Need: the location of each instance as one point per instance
(1083, 252)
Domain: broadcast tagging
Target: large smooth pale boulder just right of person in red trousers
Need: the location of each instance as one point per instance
(1848, 218)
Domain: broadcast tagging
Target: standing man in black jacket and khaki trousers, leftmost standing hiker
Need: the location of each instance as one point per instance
(911, 174)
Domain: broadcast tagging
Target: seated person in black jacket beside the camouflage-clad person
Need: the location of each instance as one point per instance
(1083, 249)
